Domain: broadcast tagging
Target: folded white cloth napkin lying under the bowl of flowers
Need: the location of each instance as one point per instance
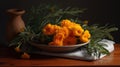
(81, 54)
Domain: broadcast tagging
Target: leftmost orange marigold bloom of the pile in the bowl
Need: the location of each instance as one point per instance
(49, 29)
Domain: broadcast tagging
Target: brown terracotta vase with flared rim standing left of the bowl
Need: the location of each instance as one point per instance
(15, 24)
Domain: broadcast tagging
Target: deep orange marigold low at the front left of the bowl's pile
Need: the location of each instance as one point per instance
(58, 39)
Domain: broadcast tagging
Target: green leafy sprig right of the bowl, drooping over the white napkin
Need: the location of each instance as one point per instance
(99, 33)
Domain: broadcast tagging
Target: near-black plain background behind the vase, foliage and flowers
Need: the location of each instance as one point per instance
(98, 11)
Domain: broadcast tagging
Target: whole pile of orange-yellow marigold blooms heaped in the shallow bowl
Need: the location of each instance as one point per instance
(67, 33)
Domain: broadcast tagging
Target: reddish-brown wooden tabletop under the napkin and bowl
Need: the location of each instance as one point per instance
(9, 58)
